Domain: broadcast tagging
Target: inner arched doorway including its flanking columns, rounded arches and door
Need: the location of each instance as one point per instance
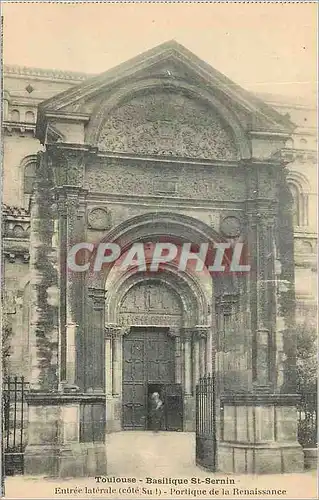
(155, 345)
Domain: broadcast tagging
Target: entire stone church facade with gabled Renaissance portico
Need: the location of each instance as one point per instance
(163, 146)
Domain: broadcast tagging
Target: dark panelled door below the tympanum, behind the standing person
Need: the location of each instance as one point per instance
(148, 367)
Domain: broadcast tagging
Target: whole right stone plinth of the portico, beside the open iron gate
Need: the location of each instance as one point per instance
(258, 434)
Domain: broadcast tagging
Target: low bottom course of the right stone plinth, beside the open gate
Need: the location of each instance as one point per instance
(259, 459)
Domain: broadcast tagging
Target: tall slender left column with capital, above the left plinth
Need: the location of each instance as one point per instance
(67, 167)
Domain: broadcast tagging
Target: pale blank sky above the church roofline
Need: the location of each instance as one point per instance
(262, 47)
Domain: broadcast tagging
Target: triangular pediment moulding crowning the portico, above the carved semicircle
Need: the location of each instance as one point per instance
(170, 64)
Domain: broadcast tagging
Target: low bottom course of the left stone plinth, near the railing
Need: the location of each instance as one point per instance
(76, 460)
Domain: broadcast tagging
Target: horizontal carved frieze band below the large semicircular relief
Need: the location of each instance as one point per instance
(116, 177)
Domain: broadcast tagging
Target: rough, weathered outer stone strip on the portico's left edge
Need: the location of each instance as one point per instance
(44, 291)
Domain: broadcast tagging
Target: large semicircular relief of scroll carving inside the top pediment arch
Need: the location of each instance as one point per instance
(167, 123)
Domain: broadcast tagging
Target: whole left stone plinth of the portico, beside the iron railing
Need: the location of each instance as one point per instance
(62, 441)
